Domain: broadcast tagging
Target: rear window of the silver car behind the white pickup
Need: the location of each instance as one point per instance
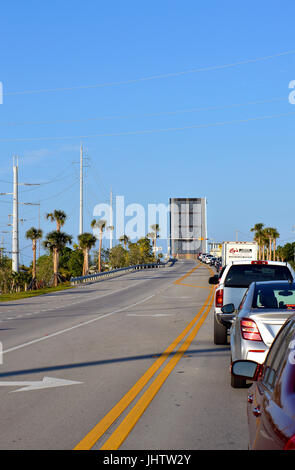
(274, 296)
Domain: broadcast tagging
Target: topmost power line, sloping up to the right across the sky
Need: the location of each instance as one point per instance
(155, 77)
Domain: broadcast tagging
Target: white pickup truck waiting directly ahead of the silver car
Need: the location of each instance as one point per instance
(233, 283)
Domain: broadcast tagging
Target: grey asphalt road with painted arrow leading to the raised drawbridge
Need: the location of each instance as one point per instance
(141, 368)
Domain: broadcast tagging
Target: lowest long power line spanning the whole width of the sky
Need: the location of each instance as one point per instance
(152, 131)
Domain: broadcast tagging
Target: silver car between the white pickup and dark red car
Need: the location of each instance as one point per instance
(263, 310)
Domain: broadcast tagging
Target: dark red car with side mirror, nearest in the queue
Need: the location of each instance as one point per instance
(271, 398)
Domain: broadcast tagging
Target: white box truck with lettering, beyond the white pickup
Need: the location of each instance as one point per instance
(239, 251)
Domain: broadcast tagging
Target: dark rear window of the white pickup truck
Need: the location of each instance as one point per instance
(241, 275)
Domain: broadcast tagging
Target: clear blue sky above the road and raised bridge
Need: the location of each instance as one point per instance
(168, 99)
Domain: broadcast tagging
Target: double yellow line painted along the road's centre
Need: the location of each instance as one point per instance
(125, 427)
